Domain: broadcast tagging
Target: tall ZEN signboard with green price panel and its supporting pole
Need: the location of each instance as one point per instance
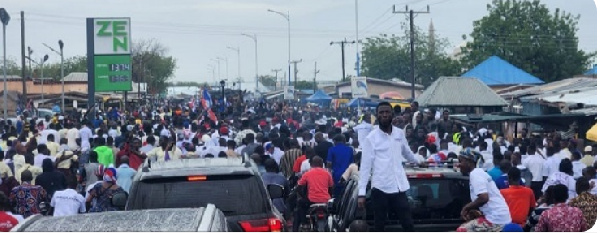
(109, 57)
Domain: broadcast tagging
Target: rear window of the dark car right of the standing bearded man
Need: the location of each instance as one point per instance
(438, 198)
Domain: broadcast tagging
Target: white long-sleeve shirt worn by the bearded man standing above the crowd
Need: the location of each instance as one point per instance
(382, 164)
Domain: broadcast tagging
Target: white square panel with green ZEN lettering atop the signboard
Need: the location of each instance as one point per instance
(112, 36)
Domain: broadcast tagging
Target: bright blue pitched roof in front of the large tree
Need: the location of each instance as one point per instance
(497, 72)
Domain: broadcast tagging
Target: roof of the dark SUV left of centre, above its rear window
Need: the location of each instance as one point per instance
(204, 166)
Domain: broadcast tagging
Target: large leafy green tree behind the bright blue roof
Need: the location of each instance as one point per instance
(528, 35)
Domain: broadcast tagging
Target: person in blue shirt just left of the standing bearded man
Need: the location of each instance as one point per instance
(339, 157)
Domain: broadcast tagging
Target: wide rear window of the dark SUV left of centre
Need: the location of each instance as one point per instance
(234, 195)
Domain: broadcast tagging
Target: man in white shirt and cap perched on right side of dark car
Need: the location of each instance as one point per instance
(485, 197)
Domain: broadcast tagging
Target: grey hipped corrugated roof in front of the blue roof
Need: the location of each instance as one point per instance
(459, 91)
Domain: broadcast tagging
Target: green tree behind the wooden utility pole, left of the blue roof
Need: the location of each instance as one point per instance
(388, 56)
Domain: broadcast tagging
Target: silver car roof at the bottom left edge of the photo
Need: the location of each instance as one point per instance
(152, 220)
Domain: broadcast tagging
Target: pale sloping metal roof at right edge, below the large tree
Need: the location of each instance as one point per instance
(565, 84)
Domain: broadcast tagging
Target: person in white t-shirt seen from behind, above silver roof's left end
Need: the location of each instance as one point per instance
(68, 202)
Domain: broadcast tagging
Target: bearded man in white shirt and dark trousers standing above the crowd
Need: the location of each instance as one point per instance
(383, 150)
